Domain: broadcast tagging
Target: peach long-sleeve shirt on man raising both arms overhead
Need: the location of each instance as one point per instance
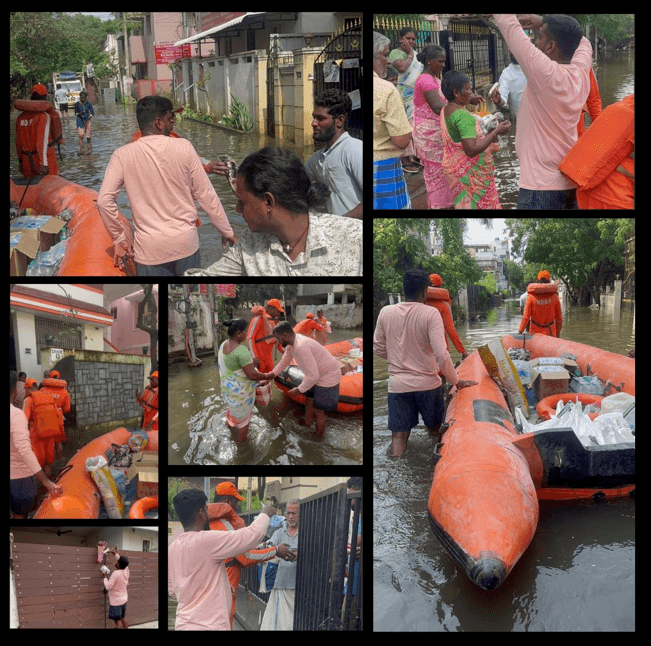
(550, 107)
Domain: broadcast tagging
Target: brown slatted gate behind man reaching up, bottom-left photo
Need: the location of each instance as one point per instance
(60, 586)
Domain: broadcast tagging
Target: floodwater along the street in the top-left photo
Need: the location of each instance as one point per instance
(114, 125)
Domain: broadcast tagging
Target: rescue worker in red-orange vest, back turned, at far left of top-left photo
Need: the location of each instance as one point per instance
(38, 130)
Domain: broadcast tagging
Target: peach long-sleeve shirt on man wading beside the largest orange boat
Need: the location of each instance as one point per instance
(411, 337)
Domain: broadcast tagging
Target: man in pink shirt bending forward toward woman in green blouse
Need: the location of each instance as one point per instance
(321, 370)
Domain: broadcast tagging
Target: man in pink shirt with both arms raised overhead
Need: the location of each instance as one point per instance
(557, 66)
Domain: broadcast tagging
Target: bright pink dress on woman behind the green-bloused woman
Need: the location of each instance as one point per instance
(429, 143)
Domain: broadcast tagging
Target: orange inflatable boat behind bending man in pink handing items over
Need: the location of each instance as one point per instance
(351, 396)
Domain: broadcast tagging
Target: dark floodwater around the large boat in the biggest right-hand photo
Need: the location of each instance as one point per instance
(578, 573)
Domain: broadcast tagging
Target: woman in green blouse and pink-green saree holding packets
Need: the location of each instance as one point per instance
(468, 153)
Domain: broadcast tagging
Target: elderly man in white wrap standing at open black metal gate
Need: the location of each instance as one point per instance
(279, 614)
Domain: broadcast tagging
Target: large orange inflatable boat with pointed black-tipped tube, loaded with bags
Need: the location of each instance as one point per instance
(488, 477)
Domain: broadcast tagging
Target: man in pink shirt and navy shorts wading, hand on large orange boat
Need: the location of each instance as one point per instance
(411, 337)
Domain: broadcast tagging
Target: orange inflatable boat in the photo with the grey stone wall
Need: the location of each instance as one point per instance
(81, 498)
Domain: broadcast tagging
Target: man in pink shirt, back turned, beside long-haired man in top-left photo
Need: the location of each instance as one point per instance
(162, 176)
